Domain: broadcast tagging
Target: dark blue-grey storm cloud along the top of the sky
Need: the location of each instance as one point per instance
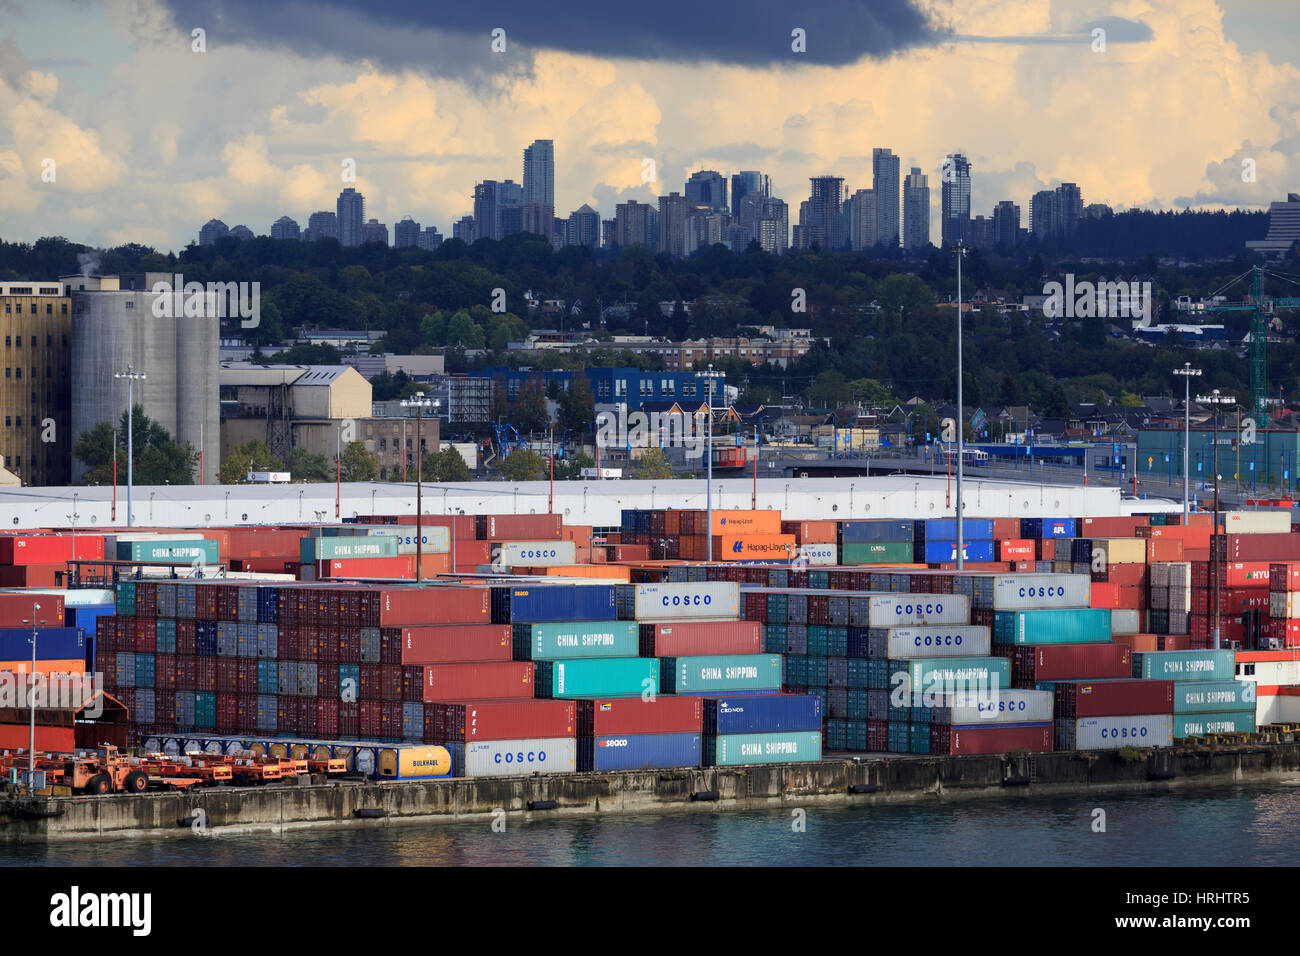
(449, 38)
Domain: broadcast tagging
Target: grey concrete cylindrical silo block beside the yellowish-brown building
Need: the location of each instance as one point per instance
(115, 325)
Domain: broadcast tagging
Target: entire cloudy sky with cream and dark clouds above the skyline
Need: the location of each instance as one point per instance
(146, 139)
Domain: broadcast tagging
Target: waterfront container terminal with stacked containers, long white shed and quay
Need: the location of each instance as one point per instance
(609, 647)
